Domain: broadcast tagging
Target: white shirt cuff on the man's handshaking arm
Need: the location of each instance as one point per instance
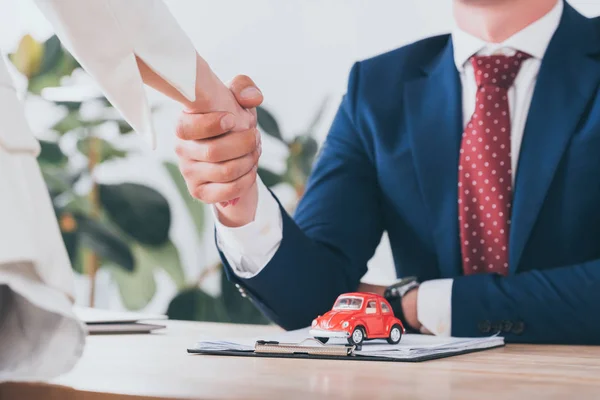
(249, 248)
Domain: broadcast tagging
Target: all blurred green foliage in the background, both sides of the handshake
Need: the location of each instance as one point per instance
(126, 226)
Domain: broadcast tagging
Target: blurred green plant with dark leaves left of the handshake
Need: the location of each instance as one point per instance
(124, 226)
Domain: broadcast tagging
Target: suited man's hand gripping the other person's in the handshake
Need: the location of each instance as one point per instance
(218, 162)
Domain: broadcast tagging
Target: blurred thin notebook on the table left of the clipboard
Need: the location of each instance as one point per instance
(100, 321)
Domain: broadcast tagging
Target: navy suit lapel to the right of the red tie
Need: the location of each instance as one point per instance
(567, 80)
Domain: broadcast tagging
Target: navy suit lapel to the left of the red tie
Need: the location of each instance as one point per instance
(433, 113)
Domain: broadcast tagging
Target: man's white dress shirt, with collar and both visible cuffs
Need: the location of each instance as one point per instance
(249, 248)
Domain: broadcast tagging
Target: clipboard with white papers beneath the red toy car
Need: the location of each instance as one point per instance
(294, 344)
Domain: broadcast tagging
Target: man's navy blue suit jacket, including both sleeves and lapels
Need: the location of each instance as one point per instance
(390, 162)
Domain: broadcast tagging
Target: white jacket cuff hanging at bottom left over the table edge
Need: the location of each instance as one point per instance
(40, 336)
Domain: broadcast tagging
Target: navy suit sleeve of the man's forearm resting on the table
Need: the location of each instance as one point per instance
(557, 305)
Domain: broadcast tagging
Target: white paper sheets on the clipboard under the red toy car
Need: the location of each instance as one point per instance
(411, 347)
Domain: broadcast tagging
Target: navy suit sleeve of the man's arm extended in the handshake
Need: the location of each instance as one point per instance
(337, 228)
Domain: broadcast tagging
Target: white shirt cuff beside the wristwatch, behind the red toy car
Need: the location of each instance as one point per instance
(434, 306)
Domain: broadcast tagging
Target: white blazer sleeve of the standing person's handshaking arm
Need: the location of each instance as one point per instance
(106, 35)
